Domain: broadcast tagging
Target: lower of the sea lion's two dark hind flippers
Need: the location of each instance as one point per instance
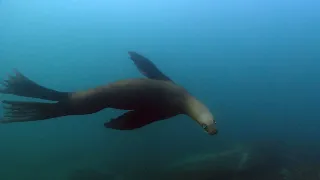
(18, 111)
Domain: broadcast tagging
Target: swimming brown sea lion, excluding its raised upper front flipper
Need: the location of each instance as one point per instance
(147, 100)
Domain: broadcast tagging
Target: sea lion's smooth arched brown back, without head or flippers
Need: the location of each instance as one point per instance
(131, 94)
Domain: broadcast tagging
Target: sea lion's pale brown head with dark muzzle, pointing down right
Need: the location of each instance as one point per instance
(201, 114)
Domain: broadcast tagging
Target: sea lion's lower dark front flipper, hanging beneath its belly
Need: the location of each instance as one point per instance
(135, 119)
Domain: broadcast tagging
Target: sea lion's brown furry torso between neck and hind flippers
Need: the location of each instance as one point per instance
(129, 94)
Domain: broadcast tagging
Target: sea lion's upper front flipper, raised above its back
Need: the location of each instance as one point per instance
(147, 67)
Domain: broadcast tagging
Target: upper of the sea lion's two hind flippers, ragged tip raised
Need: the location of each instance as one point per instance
(20, 85)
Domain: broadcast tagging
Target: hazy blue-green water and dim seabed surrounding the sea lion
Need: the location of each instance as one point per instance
(255, 64)
